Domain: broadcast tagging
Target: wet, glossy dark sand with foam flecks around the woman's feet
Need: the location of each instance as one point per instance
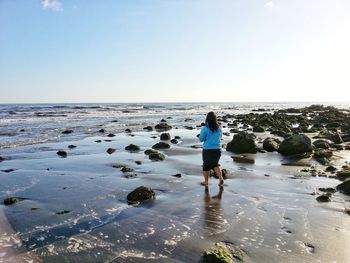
(264, 208)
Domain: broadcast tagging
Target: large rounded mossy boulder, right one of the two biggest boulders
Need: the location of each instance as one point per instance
(295, 144)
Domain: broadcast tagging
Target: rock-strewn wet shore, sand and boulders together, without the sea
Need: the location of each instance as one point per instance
(94, 185)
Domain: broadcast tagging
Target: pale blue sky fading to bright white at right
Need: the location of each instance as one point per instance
(67, 51)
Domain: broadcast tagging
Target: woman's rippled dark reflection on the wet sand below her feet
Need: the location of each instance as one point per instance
(214, 221)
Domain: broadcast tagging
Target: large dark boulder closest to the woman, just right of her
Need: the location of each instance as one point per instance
(243, 142)
